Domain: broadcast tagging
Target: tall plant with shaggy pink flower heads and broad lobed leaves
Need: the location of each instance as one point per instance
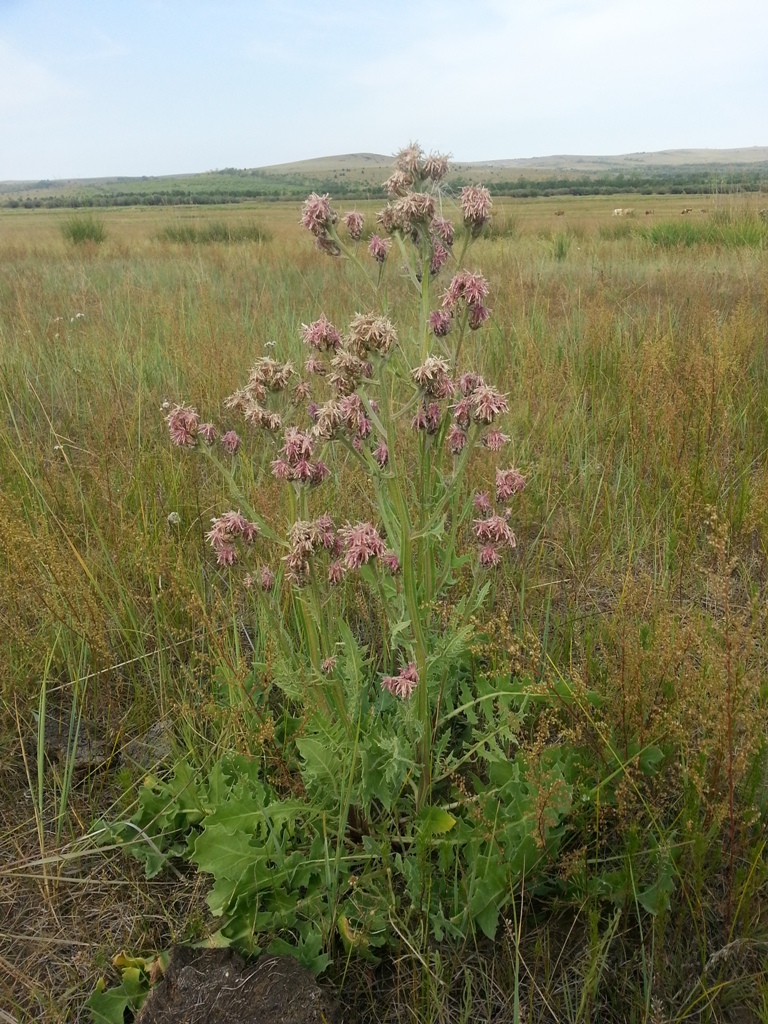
(391, 719)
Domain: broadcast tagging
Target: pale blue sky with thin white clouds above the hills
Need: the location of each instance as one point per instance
(91, 89)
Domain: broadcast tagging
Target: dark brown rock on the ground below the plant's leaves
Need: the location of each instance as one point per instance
(217, 987)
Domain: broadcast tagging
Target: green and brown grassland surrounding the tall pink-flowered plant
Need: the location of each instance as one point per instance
(636, 368)
